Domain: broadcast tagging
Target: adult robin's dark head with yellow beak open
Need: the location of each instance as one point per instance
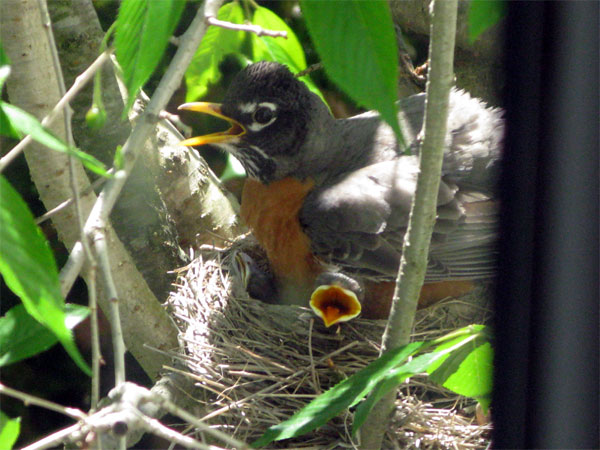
(269, 111)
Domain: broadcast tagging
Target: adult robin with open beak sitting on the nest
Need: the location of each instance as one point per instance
(329, 199)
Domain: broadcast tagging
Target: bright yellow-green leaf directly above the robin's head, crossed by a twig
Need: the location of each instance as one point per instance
(284, 51)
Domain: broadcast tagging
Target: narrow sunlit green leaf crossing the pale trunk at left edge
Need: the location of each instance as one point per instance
(24, 123)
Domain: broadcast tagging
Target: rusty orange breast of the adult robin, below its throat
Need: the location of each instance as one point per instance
(271, 212)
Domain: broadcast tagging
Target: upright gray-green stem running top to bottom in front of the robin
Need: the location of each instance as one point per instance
(423, 212)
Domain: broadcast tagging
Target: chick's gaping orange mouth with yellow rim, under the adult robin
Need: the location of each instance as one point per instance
(334, 304)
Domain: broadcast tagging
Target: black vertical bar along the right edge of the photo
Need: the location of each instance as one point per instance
(546, 392)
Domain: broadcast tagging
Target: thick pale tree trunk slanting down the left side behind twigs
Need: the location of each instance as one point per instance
(33, 86)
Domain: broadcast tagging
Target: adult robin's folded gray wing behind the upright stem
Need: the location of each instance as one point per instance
(358, 223)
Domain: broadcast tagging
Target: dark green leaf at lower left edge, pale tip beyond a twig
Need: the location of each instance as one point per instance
(21, 336)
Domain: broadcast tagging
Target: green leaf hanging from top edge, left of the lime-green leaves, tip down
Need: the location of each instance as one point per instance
(142, 34)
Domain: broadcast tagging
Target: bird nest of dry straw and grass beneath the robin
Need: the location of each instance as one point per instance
(256, 364)
